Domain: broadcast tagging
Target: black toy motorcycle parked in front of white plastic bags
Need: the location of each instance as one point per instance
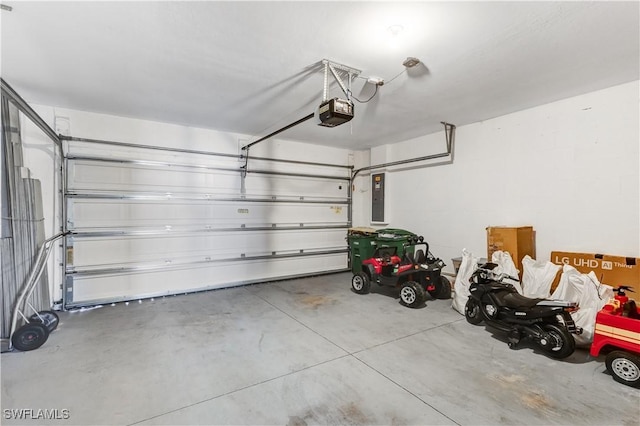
(500, 306)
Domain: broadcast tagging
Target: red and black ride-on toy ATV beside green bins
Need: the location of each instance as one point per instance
(415, 274)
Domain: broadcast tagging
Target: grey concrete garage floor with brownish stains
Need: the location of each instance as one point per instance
(301, 352)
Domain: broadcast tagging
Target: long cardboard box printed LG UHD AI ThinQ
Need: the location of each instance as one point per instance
(611, 270)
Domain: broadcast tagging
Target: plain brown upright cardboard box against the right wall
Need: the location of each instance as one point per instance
(518, 241)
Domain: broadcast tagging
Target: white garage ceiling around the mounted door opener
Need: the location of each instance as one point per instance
(253, 67)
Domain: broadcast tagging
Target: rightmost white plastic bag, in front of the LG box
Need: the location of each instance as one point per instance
(590, 295)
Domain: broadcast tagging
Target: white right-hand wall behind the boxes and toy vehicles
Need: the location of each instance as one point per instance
(569, 168)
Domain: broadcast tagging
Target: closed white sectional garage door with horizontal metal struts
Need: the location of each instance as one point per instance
(147, 222)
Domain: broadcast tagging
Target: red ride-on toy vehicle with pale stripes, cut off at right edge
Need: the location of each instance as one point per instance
(617, 333)
